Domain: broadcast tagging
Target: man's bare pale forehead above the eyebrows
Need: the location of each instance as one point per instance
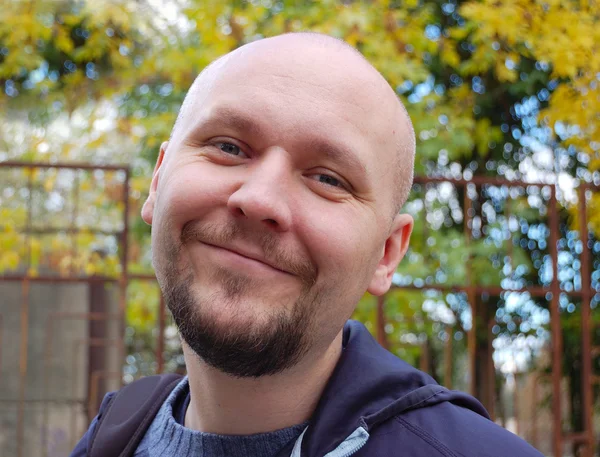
(305, 83)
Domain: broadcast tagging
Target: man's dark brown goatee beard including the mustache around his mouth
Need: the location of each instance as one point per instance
(261, 346)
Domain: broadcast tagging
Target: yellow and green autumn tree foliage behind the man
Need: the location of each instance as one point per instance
(494, 88)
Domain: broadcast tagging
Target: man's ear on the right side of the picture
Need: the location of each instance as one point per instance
(394, 250)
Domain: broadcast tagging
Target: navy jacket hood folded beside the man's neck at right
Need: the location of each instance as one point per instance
(369, 386)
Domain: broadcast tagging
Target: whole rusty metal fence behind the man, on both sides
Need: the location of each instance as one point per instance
(82, 338)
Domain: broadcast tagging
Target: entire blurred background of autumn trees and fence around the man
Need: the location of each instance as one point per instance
(498, 294)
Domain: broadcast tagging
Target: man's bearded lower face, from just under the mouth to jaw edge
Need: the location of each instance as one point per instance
(239, 325)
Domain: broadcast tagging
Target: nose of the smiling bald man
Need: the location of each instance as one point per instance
(263, 195)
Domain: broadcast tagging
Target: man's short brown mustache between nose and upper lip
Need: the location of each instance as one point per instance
(269, 243)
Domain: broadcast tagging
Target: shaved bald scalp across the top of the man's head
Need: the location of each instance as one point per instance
(305, 57)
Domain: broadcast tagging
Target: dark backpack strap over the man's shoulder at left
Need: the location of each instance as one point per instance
(129, 414)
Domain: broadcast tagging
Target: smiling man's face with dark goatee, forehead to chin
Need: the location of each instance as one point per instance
(271, 209)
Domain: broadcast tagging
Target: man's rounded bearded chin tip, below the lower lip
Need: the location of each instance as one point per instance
(237, 337)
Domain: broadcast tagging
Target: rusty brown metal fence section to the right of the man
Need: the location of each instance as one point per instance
(585, 437)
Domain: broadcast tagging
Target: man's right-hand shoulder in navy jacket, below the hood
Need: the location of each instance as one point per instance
(445, 430)
